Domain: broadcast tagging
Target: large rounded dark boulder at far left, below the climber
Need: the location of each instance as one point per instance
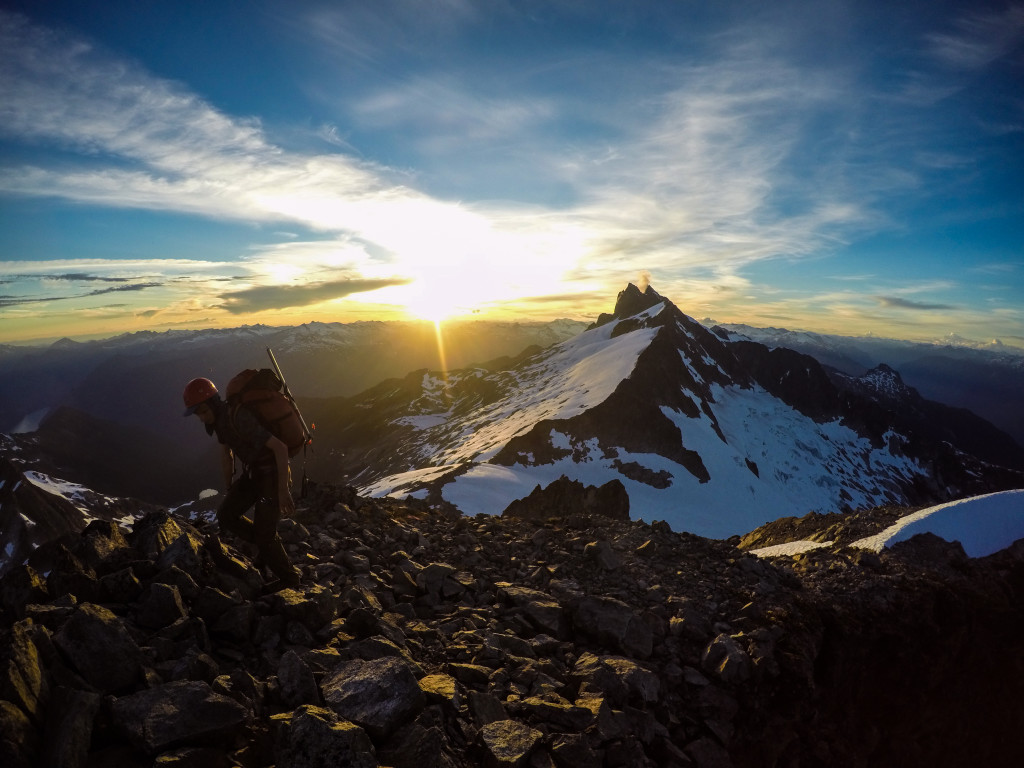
(99, 647)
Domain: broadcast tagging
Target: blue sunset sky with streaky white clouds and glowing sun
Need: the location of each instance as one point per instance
(851, 167)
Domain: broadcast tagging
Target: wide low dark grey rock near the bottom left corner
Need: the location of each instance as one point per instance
(179, 714)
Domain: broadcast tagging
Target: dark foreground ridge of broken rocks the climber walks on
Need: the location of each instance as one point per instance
(547, 637)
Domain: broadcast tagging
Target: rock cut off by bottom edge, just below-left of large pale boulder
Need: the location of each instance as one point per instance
(315, 738)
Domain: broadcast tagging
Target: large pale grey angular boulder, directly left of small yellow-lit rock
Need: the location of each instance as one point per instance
(378, 695)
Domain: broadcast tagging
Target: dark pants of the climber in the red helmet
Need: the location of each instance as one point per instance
(258, 488)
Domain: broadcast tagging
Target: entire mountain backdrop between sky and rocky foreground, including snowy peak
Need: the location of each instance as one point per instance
(714, 430)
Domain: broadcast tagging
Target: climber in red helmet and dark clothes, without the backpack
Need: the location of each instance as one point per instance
(264, 483)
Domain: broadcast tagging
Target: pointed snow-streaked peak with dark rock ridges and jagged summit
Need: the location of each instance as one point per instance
(713, 438)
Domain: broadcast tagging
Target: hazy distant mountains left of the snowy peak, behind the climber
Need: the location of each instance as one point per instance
(108, 413)
